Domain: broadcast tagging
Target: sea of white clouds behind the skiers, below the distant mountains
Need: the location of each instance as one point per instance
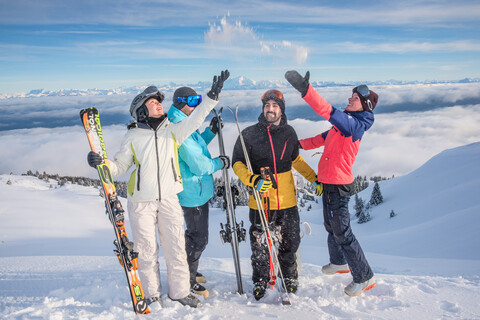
(398, 142)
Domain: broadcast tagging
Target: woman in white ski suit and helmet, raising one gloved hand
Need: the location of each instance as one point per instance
(152, 145)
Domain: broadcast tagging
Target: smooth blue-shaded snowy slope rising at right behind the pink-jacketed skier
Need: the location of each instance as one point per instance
(437, 209)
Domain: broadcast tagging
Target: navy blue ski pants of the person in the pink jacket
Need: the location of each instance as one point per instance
(343, 247)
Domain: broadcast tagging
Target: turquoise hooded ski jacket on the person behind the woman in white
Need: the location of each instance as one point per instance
(196, 164)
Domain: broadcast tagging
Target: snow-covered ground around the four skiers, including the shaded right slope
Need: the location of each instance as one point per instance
(56, 259)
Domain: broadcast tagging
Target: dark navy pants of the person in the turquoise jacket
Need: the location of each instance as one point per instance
(196, 236)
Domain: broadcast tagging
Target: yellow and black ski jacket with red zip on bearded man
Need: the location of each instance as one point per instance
(275, 147)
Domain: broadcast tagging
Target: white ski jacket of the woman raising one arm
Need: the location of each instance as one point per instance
(155, 154)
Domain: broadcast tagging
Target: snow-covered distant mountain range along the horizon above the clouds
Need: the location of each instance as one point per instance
(238, 83)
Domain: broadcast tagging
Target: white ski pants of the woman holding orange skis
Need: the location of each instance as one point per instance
(166, 216)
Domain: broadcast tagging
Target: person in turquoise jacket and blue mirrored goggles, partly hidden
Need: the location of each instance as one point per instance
(196, 168)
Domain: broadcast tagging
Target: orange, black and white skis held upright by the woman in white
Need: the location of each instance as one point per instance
(123, 247)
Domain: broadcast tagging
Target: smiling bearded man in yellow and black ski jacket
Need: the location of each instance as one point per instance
(273, 143)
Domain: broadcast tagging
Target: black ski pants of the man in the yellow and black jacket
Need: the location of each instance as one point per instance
(287, 223)
